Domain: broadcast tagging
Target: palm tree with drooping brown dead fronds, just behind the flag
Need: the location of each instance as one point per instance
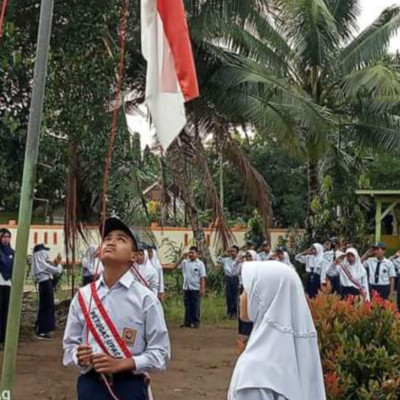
(205, 20)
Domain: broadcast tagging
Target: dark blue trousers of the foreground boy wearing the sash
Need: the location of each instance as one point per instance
(125, 387)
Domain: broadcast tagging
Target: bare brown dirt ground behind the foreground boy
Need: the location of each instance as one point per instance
(201, 366)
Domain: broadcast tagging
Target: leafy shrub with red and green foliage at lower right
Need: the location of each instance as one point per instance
(360, 347)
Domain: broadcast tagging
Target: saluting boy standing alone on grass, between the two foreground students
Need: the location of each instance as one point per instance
(194, 286)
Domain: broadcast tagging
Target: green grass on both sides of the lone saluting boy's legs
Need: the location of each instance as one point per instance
(213, 311)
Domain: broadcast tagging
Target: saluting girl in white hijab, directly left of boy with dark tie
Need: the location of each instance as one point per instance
(353, 275)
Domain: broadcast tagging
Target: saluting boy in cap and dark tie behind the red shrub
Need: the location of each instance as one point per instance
(381, 271)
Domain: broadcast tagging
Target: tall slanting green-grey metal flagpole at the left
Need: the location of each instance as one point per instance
(26, 200)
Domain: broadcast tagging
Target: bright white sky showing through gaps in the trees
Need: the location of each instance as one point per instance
(370, 11)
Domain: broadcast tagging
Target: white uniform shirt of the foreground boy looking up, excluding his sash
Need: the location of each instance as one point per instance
(132, 308)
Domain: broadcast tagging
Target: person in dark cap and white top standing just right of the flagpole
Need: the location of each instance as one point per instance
(43, 274)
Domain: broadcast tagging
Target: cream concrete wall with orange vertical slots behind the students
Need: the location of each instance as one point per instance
(53, 237)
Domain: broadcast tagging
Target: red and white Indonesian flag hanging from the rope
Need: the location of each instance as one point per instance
(171, 74)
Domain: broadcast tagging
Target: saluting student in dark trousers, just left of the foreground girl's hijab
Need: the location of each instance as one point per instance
(231, 281)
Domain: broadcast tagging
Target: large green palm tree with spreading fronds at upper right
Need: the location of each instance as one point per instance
(302, 75)
